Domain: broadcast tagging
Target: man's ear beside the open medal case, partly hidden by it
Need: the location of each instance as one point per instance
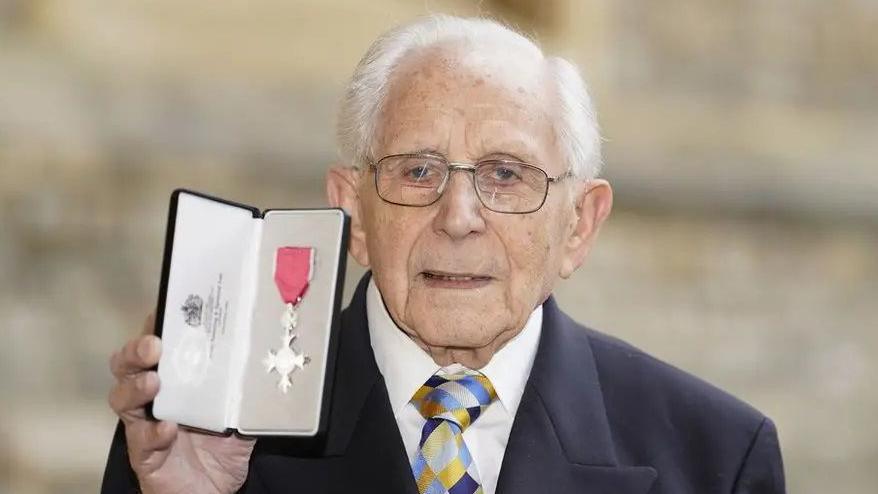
(342, 191)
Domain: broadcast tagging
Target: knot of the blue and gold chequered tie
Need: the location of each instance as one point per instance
(459, 397)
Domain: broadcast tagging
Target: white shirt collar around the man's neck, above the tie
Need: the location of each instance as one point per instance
(406, 366)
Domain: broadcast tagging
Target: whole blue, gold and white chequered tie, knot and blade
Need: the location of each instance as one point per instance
(450, 403)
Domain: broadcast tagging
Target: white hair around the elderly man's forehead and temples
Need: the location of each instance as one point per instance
(575, 123)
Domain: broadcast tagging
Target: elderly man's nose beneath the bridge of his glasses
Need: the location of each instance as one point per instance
(460, 209)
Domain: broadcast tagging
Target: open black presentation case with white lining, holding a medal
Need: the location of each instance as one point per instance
(248, 316)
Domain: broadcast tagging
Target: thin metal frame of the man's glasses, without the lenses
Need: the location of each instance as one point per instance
(466, 167)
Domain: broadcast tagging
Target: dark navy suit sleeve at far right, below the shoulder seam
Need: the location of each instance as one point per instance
(762, 470)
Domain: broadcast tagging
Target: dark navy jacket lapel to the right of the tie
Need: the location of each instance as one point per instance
(560, 439)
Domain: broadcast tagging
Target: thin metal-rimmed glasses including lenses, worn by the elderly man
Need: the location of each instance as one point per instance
(503, 186)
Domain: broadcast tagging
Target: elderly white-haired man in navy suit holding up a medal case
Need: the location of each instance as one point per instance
(471, 185)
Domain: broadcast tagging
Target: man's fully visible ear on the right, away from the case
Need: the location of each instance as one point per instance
(592, 208)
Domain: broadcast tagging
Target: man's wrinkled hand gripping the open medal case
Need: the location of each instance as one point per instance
(168, 459)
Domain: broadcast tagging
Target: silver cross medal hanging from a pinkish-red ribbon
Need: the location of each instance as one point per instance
(293, 270)
